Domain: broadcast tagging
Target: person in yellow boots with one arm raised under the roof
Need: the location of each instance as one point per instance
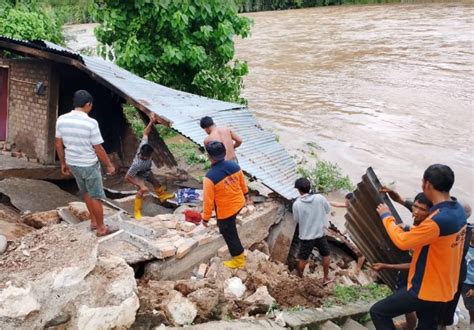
(140, 172)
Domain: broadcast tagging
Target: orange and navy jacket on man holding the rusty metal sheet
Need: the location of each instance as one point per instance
(437, 245)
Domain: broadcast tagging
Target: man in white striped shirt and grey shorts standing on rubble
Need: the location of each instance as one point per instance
(81, 136)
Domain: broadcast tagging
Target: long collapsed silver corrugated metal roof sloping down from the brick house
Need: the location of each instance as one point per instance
(260, 155)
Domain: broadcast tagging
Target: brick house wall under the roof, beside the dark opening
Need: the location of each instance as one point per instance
(28, 113)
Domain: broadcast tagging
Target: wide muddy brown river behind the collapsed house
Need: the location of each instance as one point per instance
(386, 86)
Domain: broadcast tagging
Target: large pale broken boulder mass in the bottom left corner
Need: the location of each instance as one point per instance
(56, 272)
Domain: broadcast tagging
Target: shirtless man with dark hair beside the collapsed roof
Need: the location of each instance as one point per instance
(225, 135)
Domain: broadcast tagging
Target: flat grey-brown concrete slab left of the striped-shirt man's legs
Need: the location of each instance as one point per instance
(34, 195)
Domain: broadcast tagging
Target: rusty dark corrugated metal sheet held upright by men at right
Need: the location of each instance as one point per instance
(366, 229)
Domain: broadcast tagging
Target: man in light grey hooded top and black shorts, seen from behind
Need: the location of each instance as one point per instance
(310, 212)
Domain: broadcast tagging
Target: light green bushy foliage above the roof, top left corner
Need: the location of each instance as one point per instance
(28, 21)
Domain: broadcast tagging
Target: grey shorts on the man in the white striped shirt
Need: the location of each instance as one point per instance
(89, 180)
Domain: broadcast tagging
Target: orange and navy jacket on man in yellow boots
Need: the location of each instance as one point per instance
(224, 189)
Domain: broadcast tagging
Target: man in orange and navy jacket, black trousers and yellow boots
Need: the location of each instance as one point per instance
(226, 191)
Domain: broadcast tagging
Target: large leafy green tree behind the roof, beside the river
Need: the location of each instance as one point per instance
(183, 44)
